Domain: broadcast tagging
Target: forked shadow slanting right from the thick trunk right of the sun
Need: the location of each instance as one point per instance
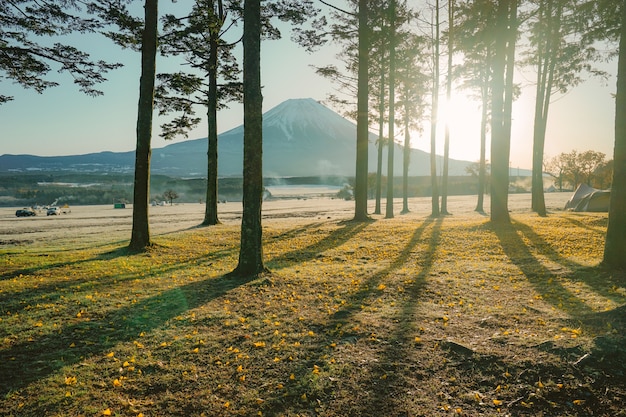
(537, 274)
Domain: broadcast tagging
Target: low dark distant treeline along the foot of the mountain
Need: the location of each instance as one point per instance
(37, 188)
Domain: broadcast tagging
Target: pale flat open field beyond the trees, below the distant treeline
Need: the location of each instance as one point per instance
(85, 224)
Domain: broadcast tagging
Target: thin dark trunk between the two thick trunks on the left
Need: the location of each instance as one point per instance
(210, 212)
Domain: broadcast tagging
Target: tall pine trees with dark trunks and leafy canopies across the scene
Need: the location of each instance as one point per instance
(386, 50)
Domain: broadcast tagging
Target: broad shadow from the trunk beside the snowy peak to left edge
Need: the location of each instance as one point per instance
(29, 361)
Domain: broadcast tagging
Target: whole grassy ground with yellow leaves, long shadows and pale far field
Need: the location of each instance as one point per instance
(410, 316)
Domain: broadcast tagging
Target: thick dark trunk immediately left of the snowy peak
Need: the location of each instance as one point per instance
(251, 248)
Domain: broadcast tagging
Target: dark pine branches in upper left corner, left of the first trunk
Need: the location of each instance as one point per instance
(33, 43)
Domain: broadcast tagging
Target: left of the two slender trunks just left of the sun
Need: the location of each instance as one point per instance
(433, 121)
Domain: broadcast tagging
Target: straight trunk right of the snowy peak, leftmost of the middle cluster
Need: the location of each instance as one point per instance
(362, 123)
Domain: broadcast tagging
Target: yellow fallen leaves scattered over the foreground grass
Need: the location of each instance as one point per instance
(283, 342)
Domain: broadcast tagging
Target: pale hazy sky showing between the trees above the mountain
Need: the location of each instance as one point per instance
(63, 121)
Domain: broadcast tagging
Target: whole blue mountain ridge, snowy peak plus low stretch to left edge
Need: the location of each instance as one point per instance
(301, 138)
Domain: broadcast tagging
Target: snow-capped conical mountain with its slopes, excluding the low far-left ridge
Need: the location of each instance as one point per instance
(301, 138)
